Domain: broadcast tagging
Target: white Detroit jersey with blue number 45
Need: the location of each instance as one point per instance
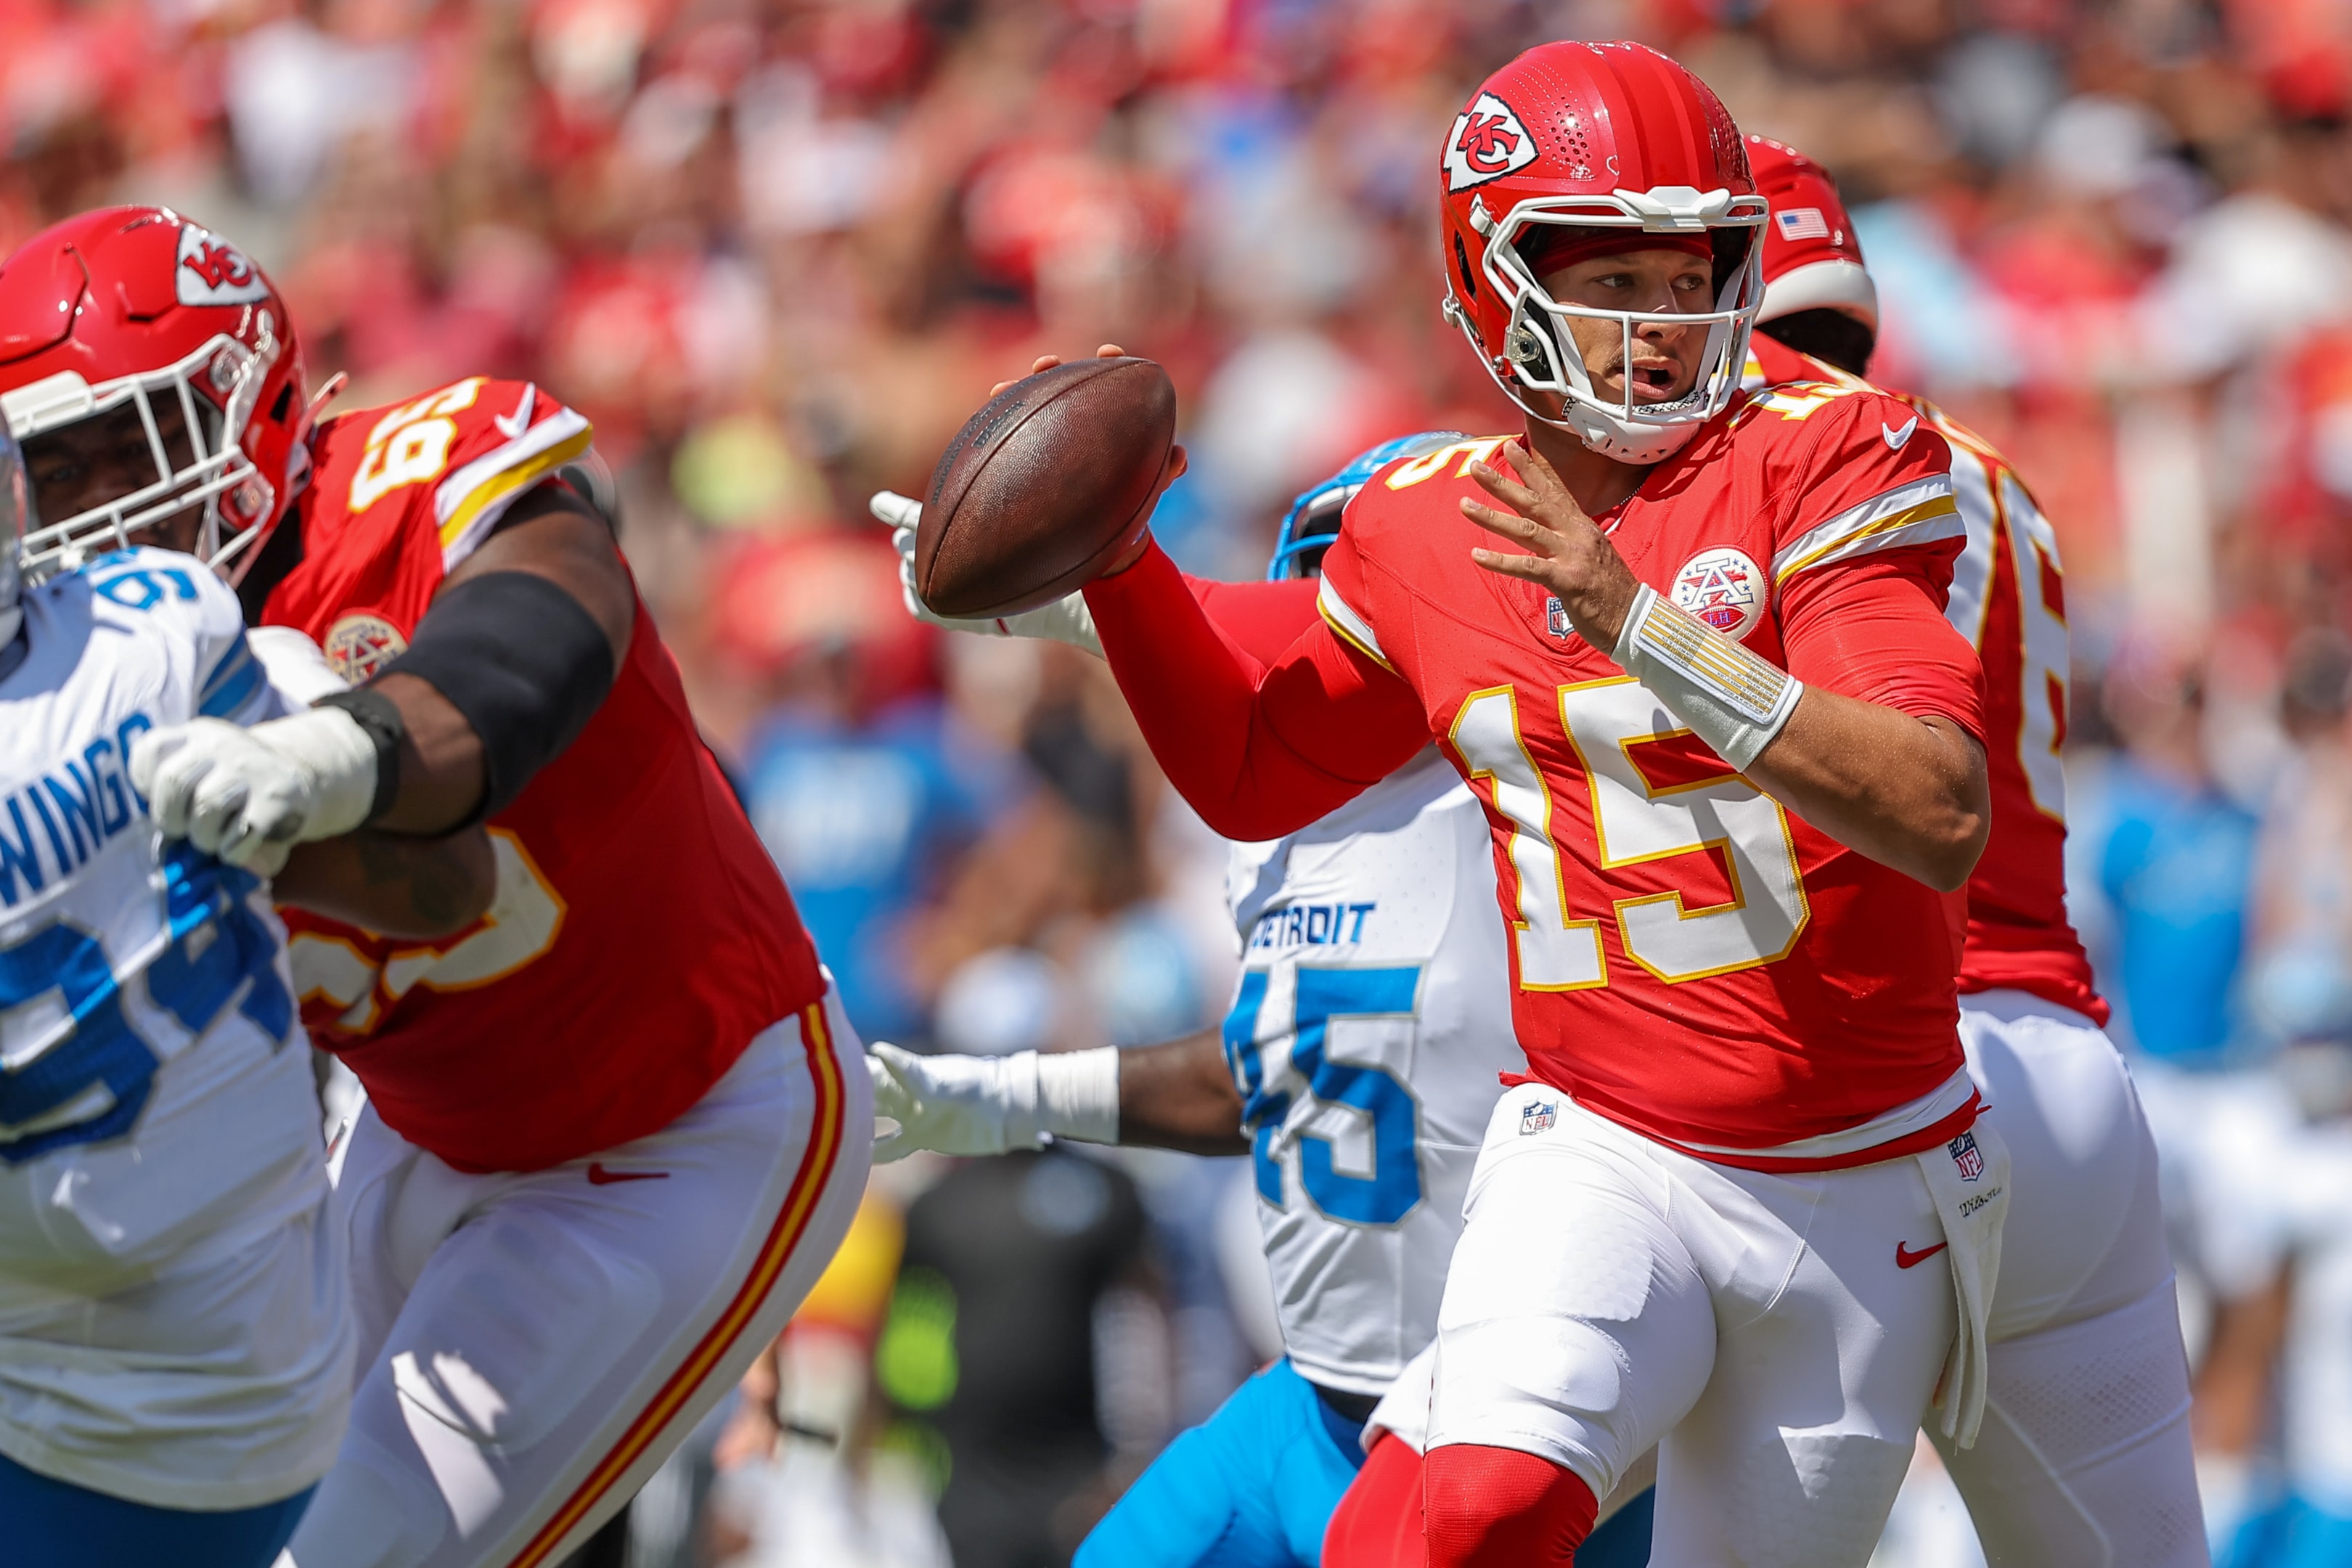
(1368, 1033)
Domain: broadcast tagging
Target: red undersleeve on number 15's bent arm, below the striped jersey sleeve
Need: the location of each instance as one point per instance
(1873, 629)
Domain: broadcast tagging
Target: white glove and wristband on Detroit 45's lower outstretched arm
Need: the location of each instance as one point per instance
(994, 1104)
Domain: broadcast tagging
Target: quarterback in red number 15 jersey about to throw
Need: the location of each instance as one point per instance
(1746, 1202)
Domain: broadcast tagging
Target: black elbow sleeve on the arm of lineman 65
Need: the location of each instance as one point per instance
(526, 666)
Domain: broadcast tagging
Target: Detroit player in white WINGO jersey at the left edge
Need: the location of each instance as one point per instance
(173, 1332)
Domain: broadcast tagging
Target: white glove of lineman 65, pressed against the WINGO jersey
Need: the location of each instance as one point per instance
(248, 796)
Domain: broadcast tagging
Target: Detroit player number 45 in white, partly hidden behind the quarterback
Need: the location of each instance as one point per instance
(1361, 1061)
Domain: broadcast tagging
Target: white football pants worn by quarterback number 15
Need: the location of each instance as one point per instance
(1763, 1332)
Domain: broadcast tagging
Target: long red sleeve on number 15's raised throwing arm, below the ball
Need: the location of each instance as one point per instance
(1257, 749)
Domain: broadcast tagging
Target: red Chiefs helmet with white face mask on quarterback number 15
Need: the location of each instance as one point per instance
(1598, 138)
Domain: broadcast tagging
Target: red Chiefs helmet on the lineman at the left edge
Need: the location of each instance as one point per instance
(142, 319)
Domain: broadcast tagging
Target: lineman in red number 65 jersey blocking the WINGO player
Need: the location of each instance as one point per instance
(615, 1125)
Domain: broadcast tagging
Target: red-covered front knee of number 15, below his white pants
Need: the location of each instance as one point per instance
(1499, 1508)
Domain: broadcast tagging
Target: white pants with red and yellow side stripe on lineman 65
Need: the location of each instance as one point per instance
(533, 1346)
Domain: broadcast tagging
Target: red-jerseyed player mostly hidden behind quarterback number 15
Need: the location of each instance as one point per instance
(2106, 1473)
